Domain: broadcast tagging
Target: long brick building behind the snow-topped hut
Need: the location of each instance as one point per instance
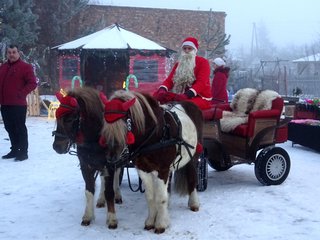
(164, 26)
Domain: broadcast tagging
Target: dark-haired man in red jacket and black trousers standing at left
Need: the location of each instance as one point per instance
(17, 80)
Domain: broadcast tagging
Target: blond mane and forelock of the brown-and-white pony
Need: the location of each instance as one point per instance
(115, 133)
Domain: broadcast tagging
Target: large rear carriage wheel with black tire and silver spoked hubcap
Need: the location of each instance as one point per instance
(272, 166)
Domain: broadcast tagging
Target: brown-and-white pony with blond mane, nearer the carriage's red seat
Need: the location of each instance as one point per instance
(158, 139)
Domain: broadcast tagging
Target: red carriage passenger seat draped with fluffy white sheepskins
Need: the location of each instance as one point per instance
(249, 112)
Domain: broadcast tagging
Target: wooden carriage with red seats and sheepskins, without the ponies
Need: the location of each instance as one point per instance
(246, 131)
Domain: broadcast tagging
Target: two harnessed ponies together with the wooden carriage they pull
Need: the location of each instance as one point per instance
(159, 139)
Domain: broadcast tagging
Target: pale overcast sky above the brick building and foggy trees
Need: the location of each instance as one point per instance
(288, 22)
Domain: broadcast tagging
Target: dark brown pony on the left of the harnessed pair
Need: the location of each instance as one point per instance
(80, 120)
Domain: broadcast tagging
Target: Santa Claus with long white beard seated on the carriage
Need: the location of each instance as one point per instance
(189, 78)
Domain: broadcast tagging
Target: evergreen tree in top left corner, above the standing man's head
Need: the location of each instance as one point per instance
(18, 24)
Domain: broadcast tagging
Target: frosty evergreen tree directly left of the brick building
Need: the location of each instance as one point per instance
(54, 16)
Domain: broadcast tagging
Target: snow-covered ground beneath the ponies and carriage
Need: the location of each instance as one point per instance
(43, 198)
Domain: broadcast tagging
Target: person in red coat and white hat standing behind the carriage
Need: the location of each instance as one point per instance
(219, 82)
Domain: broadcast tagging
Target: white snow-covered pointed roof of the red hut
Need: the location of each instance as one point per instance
(112, 37)
